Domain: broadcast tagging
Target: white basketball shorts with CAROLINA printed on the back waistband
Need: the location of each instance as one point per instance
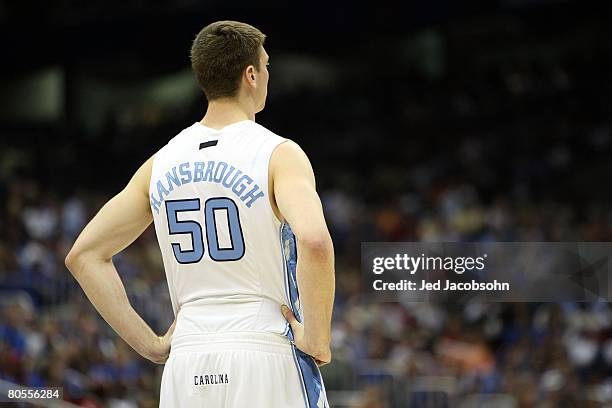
(240, 370)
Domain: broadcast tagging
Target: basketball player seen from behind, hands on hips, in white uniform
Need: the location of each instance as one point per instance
(233, 204)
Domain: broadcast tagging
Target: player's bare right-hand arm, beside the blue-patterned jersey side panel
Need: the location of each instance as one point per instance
(299, 204)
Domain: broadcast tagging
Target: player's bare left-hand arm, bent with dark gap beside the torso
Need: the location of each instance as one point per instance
(120, 221)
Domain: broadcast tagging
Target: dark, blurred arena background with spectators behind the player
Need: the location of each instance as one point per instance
(434, 121)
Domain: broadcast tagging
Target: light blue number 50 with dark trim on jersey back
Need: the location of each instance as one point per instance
(176, 226)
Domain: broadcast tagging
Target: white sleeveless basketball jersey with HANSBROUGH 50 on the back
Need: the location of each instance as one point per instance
(220, 239)
